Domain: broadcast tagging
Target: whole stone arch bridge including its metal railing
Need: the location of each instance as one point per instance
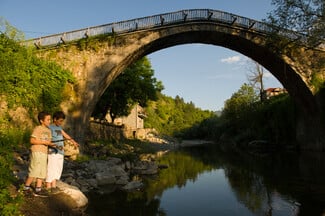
(97, 55)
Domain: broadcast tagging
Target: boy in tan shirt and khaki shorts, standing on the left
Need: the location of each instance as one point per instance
(40, 140)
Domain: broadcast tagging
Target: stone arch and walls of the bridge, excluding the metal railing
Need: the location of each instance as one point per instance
(96, 66)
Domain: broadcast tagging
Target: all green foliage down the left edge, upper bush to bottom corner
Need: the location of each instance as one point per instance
(28, 82)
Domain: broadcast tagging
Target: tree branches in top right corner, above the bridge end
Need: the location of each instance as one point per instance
(306, 17)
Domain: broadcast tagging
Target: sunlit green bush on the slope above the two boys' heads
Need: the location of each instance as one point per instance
(29, 81)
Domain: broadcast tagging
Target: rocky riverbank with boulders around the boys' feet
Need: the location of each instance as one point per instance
(78, 178)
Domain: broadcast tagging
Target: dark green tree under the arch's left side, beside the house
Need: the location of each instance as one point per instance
(135, 85)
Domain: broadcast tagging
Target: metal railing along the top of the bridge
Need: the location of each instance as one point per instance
(183, 16)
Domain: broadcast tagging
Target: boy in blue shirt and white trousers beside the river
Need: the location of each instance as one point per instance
(56, 158)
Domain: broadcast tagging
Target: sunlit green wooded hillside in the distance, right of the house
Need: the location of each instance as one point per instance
(174, 117)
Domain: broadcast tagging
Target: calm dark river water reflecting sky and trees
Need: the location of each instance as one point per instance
(202, 180)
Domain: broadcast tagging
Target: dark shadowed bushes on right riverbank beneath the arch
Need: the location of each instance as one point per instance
(245, 119)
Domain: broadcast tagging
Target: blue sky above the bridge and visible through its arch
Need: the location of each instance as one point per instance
(206, 75)
